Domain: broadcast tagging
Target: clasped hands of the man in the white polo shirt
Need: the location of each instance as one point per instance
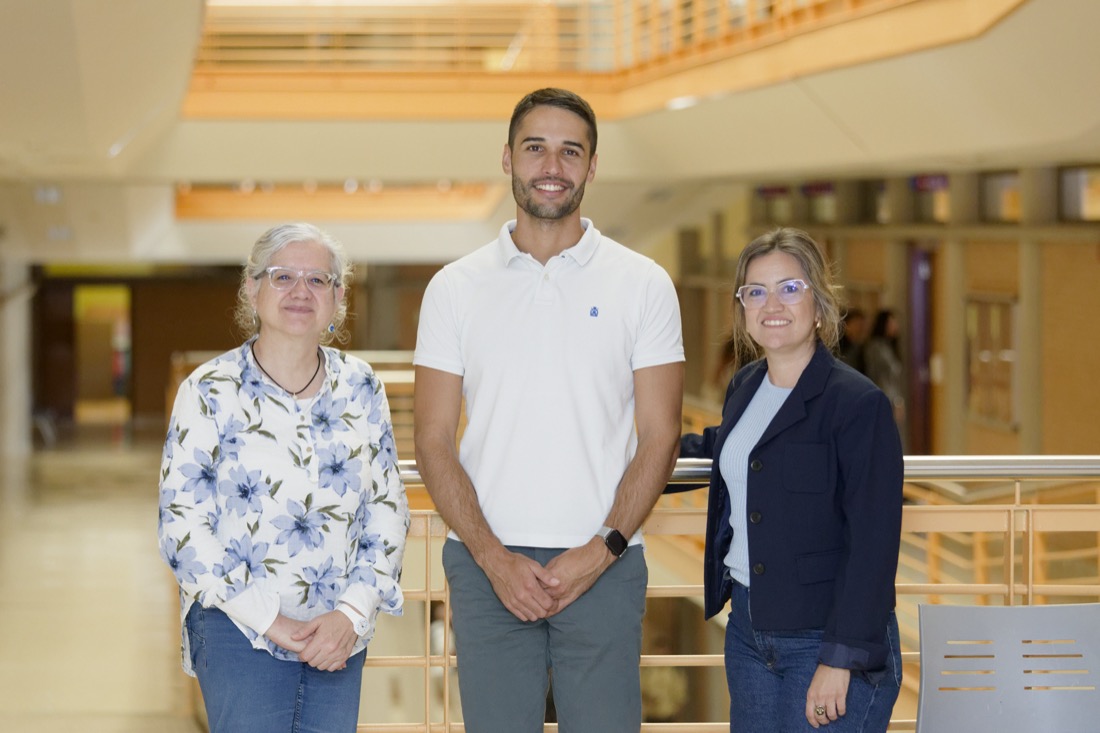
(532, 592)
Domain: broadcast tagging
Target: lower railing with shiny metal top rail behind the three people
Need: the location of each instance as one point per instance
(1018, 552)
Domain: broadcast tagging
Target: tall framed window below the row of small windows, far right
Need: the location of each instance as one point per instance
(992, 356)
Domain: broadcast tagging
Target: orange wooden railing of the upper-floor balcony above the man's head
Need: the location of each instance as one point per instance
(502, 37)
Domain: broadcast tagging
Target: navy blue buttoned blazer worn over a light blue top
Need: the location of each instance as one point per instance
(824, 510)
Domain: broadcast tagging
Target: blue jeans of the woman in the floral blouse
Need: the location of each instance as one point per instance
(248, 691)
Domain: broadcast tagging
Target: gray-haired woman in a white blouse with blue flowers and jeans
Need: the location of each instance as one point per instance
(283, 516)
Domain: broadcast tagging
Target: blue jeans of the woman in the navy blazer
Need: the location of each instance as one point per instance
(769, 674)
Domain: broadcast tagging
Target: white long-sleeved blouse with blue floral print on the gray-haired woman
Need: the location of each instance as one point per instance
(271, 505)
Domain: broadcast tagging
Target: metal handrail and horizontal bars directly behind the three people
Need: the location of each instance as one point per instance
(1018, 585)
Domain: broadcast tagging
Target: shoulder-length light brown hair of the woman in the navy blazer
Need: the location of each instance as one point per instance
(809, 254)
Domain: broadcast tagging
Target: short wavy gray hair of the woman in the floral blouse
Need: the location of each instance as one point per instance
(270, 244)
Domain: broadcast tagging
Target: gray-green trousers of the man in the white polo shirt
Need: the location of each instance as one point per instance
(592, 649)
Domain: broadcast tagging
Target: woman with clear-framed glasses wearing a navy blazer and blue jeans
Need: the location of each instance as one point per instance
(805, 512)
